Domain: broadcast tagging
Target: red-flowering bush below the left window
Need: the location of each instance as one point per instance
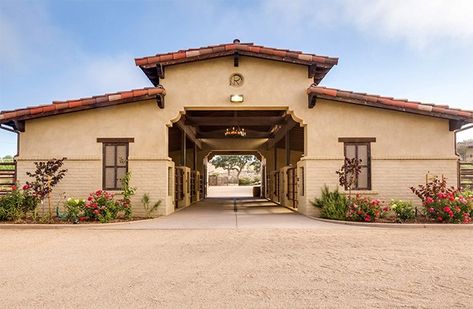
(100, 206)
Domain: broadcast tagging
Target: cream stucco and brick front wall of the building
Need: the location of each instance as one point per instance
(407, 146)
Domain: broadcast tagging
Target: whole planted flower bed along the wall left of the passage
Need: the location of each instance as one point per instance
(21, 205)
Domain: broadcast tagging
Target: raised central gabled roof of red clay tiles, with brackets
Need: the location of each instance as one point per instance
(323, 64)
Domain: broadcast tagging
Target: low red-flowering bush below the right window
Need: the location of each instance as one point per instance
(364, 209)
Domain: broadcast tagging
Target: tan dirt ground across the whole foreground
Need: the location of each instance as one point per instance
(335, 267)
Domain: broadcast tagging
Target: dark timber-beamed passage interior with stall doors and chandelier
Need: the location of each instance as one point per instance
(273, 136)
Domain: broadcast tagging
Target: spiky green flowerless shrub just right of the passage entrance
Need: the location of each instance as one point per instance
(333, 205)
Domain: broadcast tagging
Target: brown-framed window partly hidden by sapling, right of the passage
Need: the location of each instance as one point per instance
(360, 148)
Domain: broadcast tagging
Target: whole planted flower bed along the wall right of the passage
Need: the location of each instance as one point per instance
(440, 204)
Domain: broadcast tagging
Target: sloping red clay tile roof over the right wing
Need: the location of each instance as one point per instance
(441, 111)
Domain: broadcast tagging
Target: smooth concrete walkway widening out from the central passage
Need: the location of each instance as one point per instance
(217, 213)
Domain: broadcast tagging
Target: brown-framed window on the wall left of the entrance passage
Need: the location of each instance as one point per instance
(115, 162)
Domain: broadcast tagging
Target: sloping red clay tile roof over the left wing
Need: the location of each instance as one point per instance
(61, 107)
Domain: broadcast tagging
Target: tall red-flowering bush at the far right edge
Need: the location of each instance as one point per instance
(444, 204)
